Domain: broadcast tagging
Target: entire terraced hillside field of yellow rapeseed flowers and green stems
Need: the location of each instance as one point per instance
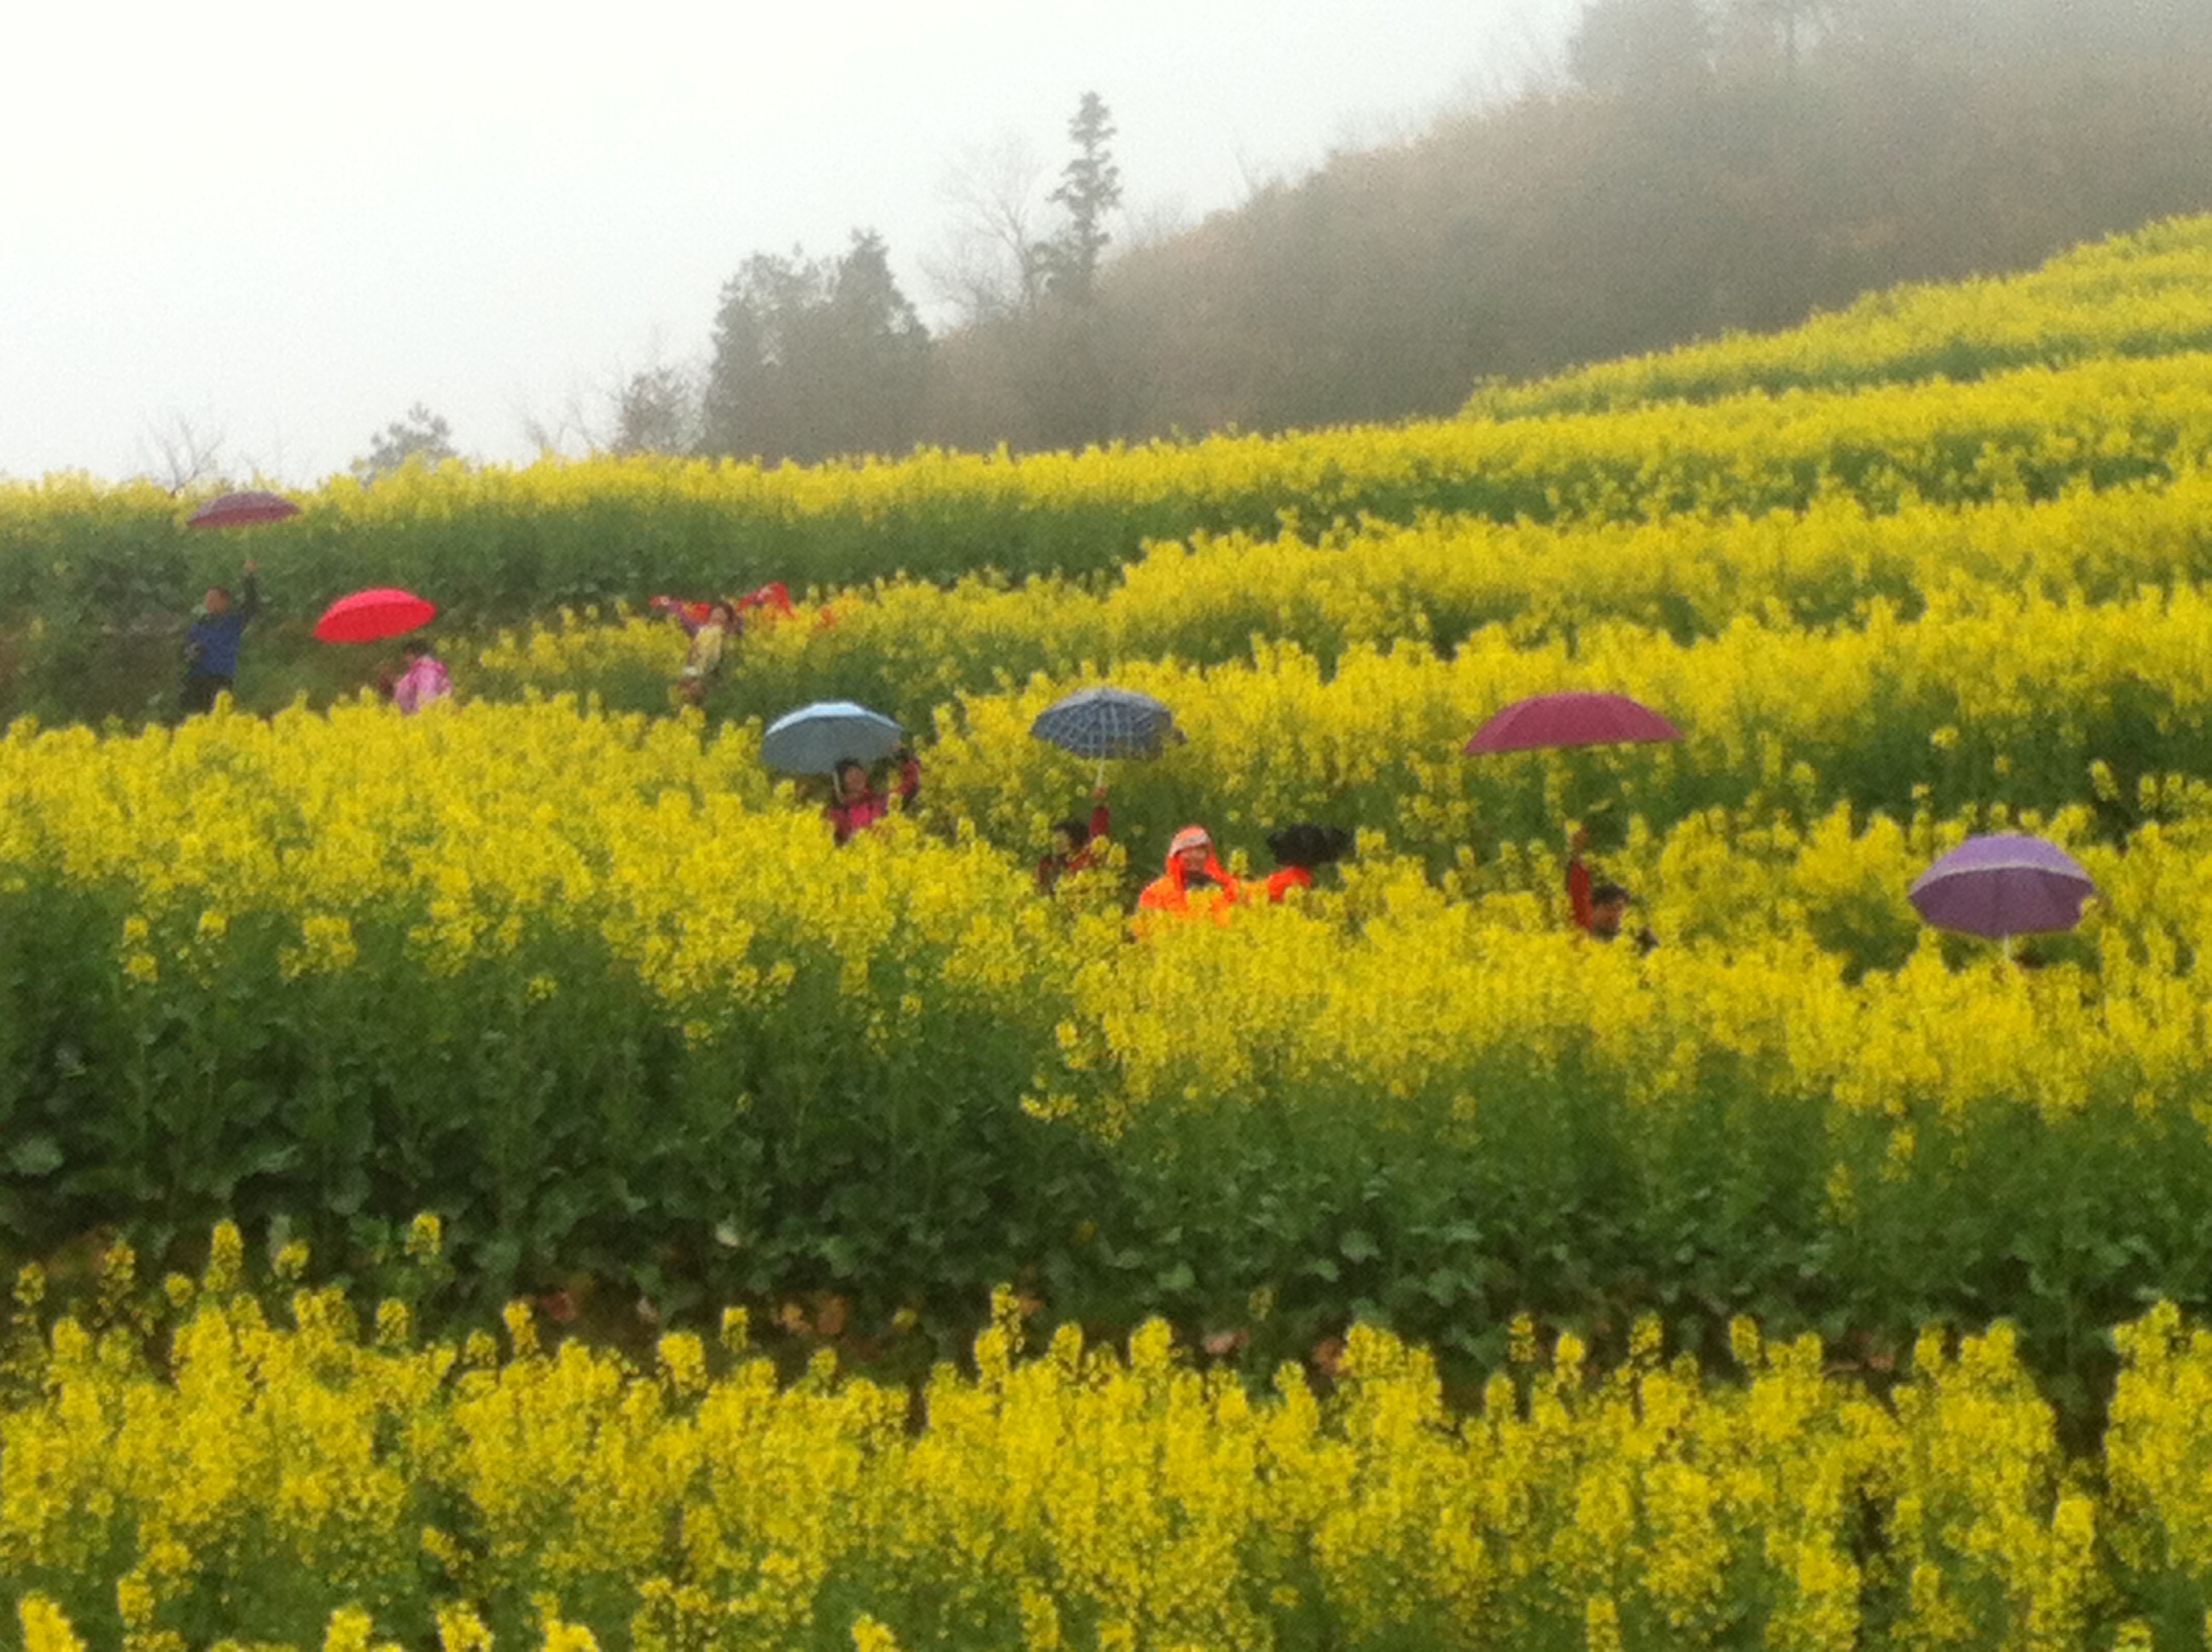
(1390, 1266)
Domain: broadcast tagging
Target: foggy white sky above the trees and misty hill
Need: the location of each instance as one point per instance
(286, 222)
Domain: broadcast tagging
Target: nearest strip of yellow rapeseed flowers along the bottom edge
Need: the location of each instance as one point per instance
(286, 1483)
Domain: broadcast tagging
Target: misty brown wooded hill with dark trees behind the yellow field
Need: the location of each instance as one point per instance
(1702, 167)
